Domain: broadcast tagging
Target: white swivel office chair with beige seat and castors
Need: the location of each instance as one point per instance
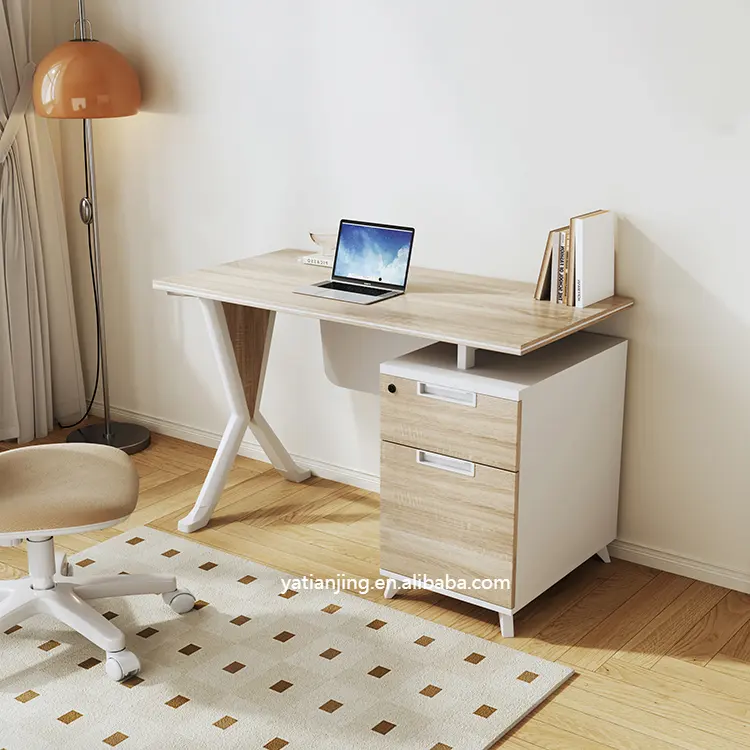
(49, 490)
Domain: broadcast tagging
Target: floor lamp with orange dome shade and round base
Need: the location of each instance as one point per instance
(85, 79)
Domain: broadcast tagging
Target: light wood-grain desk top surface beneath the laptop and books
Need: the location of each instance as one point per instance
(478, 311)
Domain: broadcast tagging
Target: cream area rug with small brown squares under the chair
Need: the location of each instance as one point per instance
(252, 669)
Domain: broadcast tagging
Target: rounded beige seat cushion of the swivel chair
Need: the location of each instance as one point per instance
(48, 487)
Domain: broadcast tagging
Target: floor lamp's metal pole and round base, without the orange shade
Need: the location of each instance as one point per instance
(130, 438)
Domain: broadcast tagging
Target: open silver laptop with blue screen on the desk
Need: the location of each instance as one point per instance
(371, 263)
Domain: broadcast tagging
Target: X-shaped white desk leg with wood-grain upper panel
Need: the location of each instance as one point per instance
(241, 340)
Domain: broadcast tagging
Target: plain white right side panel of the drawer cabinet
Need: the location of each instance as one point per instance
(571, 445)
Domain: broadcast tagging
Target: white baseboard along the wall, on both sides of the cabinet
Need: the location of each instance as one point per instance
(649, 556)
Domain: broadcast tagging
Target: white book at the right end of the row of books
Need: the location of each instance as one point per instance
(595, 256)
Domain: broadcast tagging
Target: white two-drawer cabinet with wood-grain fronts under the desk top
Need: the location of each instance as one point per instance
(508, 471)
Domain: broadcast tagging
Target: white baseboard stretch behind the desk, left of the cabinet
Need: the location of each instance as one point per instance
(249, 448)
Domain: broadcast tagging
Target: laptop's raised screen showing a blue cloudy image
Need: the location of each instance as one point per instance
(373, 252)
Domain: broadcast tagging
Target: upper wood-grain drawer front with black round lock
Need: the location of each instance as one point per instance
(459, 423)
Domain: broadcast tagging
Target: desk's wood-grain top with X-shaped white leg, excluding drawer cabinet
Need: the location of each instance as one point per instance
(240, 300)
